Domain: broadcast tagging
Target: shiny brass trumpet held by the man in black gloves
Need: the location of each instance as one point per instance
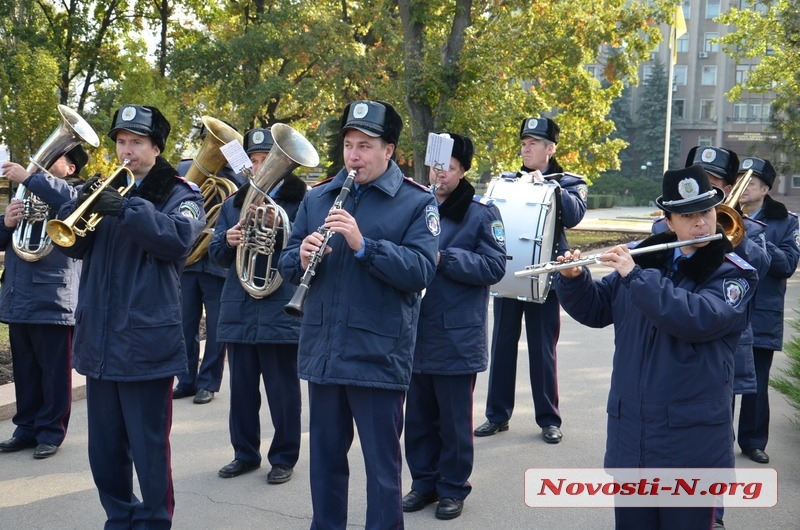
(65, 233)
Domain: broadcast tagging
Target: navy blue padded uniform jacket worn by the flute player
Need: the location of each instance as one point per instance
(670, 399)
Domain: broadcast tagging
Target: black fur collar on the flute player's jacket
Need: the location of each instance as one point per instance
(697, 268)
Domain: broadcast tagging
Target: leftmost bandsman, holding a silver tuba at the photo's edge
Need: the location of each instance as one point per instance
(37, 301)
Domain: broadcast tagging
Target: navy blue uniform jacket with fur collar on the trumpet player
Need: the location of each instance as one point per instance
(128, 321)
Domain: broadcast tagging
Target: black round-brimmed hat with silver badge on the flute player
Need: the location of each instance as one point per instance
(688, 190)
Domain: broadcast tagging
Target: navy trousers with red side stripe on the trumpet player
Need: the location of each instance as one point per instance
(129, 425)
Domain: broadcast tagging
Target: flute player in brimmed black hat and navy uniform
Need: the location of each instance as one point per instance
(677, 315)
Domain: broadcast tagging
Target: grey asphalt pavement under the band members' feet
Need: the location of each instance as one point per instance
(58, 493)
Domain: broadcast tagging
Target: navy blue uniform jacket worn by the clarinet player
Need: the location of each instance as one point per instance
(360, 317)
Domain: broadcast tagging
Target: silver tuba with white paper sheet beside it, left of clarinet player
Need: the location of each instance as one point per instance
(254, 267)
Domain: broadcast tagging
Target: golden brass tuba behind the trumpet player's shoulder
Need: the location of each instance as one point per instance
(206, 163)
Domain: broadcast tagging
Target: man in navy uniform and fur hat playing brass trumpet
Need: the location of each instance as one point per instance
(128, 333)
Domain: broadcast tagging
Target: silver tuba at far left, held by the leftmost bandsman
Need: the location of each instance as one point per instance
(30, 240)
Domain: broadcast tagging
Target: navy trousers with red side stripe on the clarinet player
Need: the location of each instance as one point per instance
(378, 415)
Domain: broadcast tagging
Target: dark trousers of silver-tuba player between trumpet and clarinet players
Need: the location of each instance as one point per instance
(276, 365)
